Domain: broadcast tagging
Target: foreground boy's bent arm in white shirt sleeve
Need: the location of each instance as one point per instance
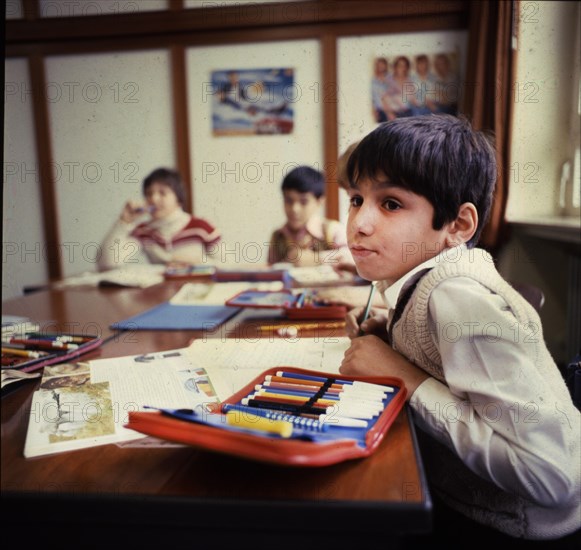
(510, 420)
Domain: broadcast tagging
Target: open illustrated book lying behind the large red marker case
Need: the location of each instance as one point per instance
(80, 405)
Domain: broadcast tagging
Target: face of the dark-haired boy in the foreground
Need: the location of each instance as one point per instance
(389, 230)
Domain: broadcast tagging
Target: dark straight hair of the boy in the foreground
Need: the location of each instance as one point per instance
(440, 157)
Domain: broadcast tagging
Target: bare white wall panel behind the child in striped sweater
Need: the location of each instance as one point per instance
(111, 124)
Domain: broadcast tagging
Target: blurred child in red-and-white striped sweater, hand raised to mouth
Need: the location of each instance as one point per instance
(169, 236)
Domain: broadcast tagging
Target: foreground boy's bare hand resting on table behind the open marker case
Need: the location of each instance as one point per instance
(371, 356)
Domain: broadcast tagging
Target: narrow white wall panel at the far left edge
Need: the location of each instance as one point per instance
(24, 245)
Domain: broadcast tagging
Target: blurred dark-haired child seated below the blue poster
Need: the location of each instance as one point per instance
(307, 239)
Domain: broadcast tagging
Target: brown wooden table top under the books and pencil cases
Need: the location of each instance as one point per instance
(385, 492)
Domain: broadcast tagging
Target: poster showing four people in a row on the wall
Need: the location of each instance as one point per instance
(404, 85)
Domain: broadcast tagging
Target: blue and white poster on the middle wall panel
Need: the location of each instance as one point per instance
(252, 102)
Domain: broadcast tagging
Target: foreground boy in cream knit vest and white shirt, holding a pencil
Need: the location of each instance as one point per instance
(499, 433)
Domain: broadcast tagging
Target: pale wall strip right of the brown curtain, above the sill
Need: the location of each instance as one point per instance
(545, 102)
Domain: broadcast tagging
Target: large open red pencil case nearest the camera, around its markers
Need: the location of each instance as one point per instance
(336, 444)
